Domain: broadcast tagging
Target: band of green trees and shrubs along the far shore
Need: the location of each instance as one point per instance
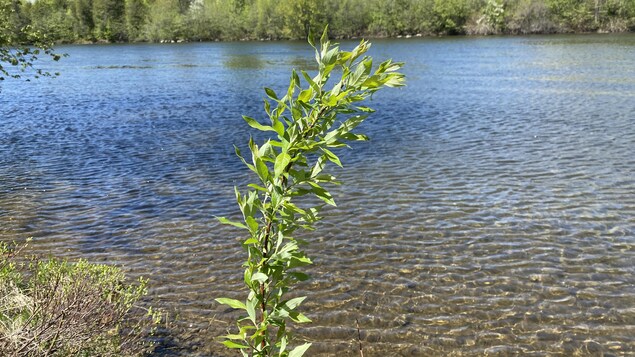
(192, 20)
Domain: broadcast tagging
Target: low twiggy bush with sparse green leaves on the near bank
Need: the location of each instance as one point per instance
(56, 308)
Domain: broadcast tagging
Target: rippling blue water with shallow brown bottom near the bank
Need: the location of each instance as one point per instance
(492, 212)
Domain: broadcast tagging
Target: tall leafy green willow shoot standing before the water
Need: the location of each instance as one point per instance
(308, 124)
